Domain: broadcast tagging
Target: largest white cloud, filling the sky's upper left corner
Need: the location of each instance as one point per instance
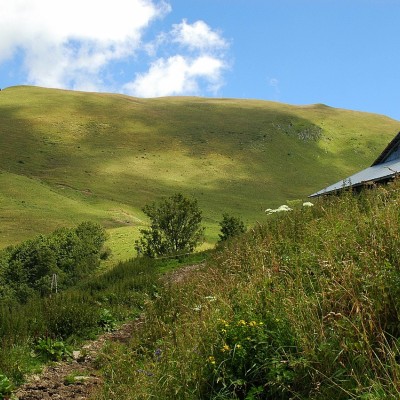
(65, 41)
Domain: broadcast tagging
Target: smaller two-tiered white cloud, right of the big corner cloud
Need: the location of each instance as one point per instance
(182, 74)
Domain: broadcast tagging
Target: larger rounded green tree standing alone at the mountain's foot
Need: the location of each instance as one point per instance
(175, 227)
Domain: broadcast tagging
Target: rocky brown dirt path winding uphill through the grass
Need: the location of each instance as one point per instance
(76, 379)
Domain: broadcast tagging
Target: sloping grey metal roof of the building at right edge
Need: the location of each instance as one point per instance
(377, 172)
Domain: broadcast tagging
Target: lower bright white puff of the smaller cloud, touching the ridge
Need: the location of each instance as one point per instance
(177, 75)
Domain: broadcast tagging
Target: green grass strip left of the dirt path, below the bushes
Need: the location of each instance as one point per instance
(96, 304)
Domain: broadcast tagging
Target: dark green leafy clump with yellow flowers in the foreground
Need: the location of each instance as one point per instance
(255, 354)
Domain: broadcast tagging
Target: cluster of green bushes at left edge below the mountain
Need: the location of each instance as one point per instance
(49, 263)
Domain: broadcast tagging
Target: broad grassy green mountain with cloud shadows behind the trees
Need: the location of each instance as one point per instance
(69, 156)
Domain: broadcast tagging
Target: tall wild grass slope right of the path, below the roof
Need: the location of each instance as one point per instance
(305, 306)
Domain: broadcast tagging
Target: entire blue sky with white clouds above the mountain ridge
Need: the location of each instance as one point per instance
(343, 53)
